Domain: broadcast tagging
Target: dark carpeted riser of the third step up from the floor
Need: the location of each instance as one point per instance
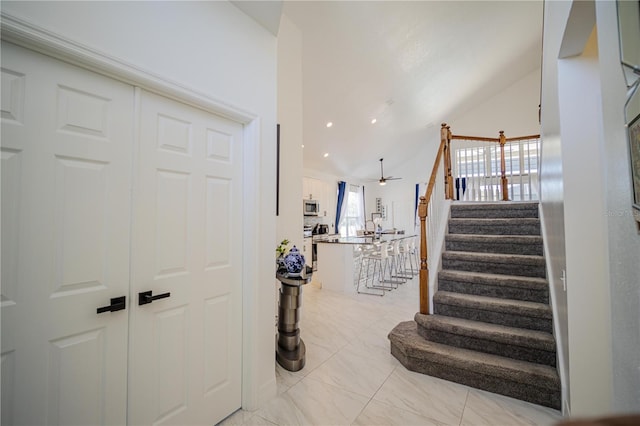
(510, 320)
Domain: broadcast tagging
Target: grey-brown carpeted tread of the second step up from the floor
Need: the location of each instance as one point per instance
(495, 332)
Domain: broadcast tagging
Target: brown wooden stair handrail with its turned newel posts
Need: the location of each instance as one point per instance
(445, 151)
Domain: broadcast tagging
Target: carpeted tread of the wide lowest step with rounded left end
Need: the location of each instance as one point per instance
(405, 336)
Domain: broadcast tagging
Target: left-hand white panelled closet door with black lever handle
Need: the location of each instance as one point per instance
(66, 171)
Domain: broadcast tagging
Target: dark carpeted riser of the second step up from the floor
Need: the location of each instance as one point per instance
(538, 356)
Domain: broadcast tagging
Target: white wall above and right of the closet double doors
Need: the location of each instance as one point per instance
(214, 49)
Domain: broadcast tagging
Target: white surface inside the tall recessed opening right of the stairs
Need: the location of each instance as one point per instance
(589, 316)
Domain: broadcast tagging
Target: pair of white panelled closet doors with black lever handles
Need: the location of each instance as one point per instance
(66, 163)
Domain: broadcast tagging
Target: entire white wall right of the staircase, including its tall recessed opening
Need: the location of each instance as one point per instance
(586, 197)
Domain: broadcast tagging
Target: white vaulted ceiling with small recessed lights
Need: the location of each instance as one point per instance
(410, 65)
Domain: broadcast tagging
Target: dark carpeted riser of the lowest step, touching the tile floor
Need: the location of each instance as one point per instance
(522, 391)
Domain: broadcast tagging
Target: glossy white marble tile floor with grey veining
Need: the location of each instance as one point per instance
(350, 377)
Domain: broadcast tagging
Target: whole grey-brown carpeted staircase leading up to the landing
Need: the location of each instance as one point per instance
(492, 324)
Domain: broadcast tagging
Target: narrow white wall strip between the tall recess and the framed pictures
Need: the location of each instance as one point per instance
(622, 231)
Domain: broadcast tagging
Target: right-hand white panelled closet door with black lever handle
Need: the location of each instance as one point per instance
(185, 351)
